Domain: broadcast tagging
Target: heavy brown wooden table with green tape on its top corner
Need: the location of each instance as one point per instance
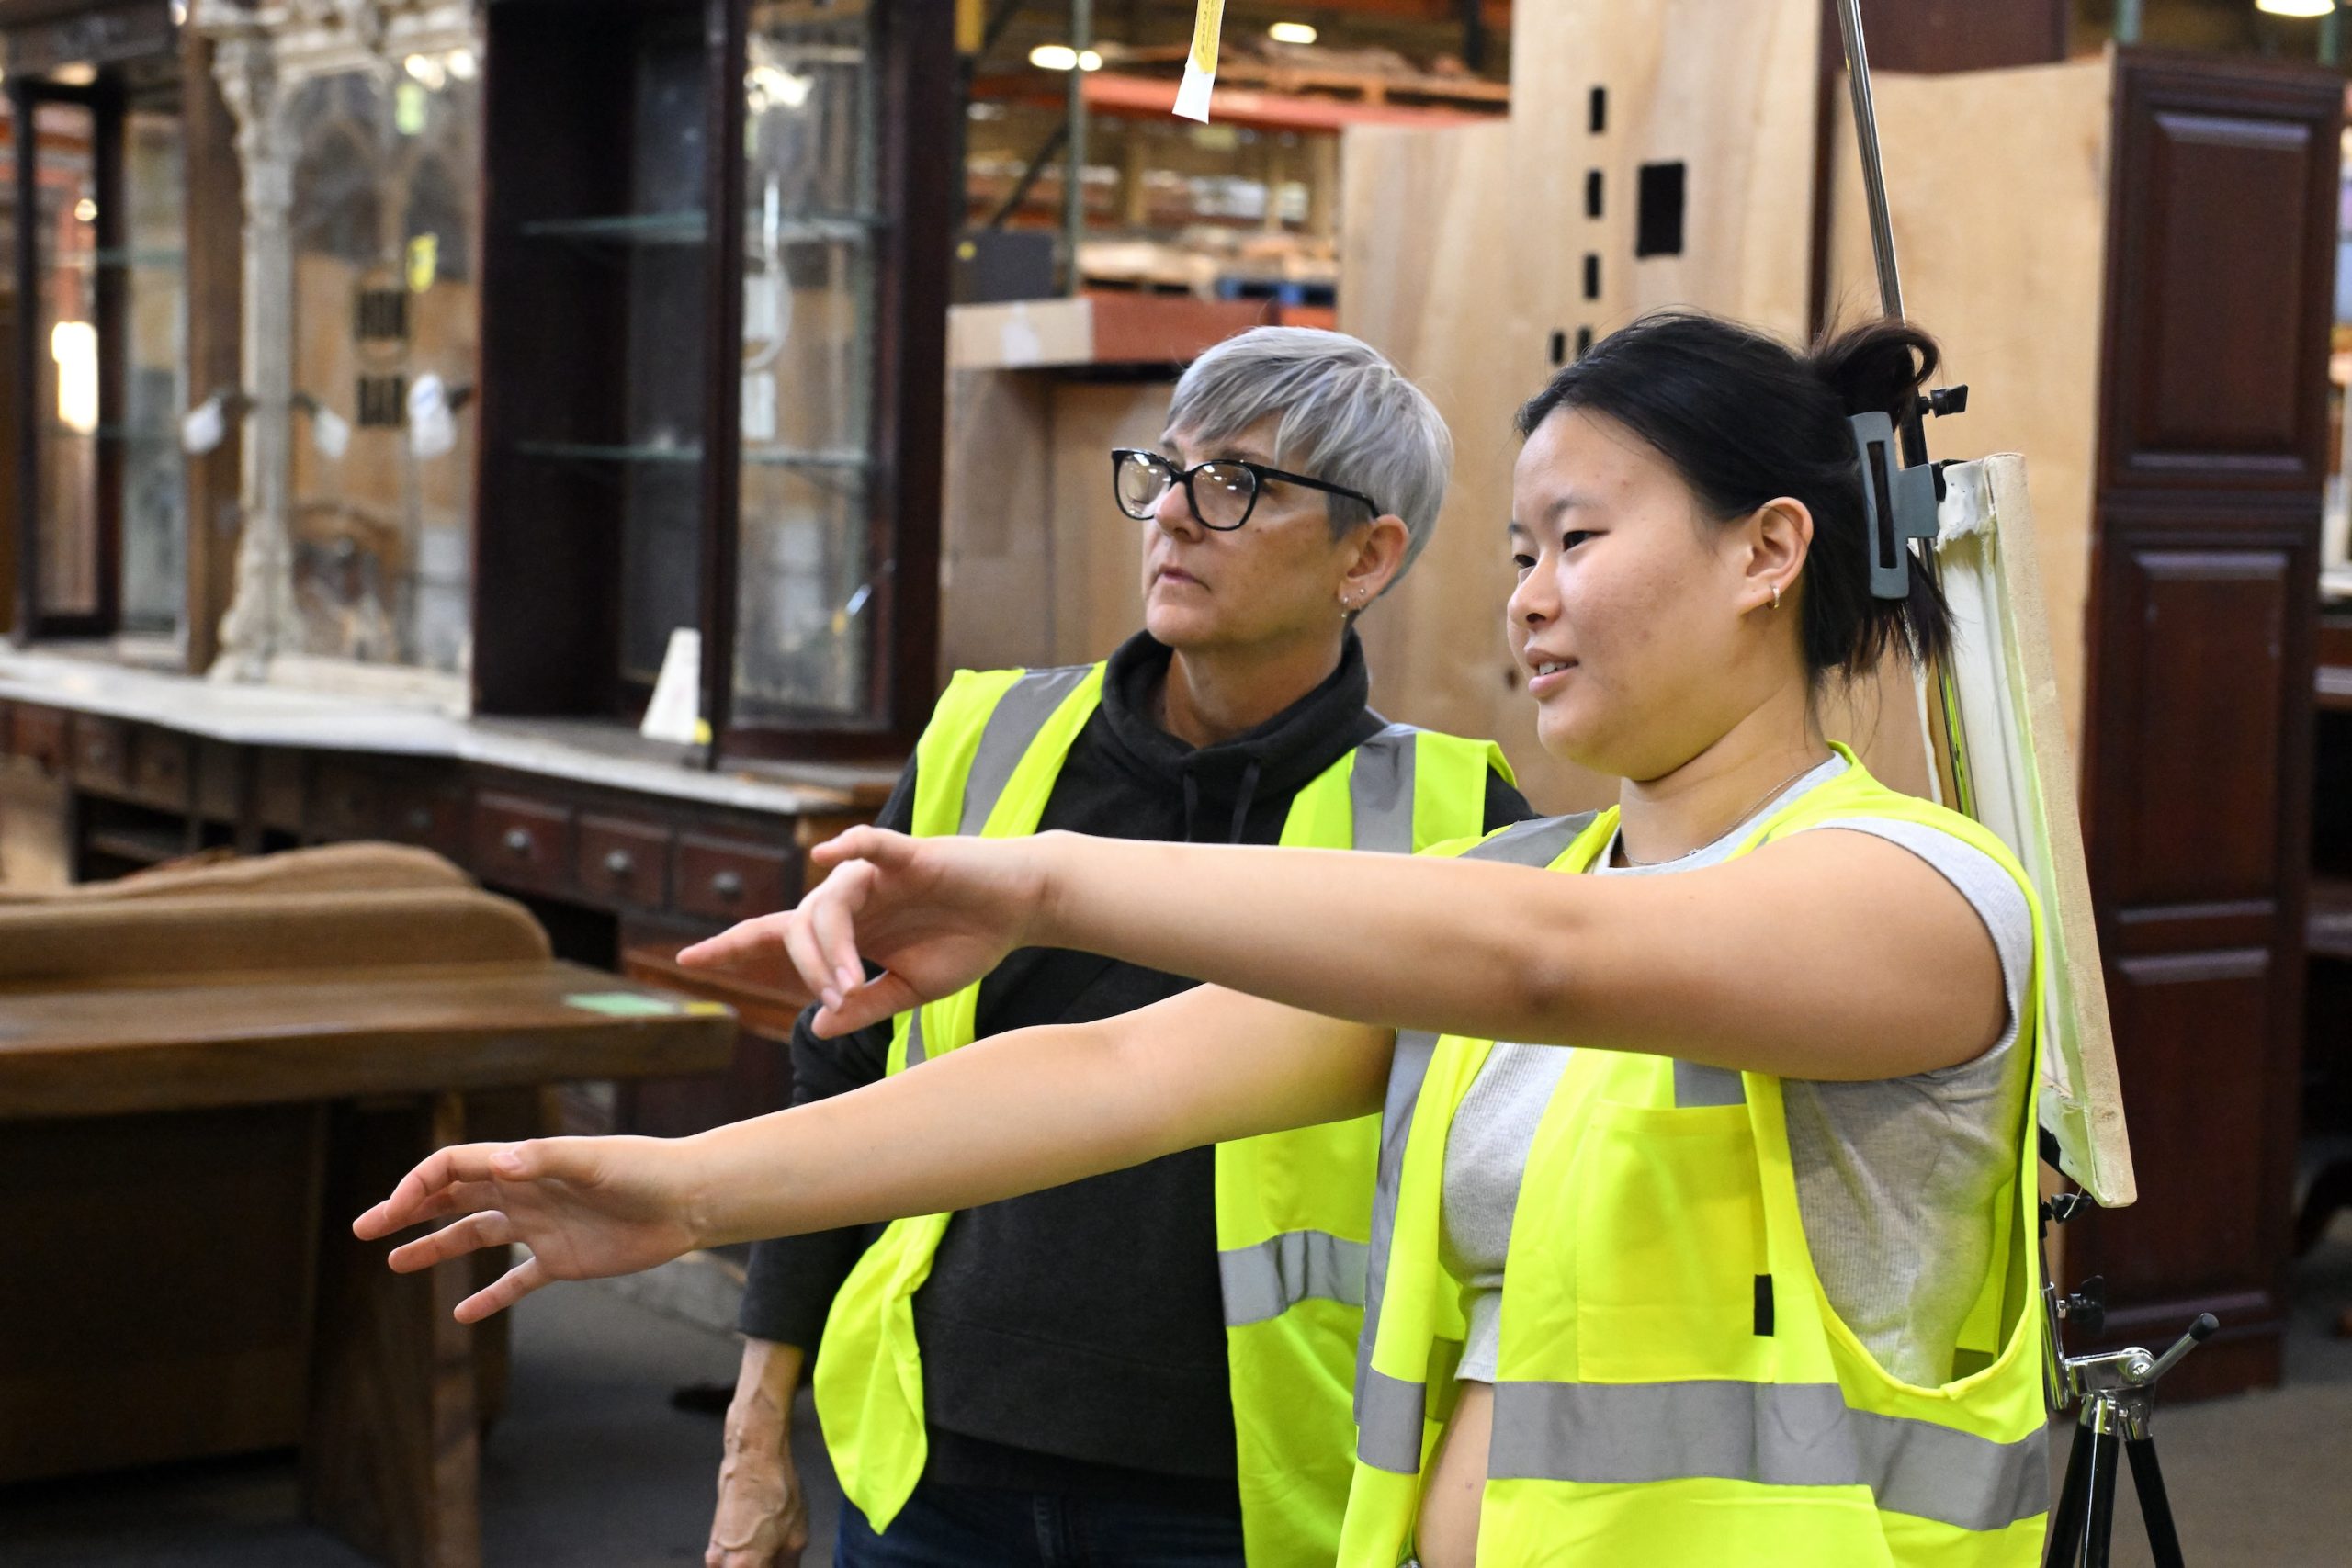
(227, 1127)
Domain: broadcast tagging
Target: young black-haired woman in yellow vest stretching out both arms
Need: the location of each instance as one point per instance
(1704, 1221)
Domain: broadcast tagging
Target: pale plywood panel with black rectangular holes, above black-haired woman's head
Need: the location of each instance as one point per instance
(1716, 88)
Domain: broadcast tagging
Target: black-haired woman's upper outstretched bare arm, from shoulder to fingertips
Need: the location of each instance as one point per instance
(1829, 956)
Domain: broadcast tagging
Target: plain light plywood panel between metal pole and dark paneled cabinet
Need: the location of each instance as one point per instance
(2017, 304)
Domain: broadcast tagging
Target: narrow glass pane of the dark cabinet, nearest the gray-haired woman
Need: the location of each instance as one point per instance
(806, 525)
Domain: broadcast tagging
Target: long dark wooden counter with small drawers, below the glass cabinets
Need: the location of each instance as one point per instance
(636, 859)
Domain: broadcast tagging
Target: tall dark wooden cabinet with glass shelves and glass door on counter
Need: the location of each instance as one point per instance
(655, 453)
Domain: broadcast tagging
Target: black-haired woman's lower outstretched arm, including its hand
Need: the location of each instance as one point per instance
(1008, 1115)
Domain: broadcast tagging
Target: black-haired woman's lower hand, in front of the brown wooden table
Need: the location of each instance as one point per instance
(587, 1207)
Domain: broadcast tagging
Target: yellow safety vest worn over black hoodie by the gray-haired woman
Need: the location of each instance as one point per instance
(1292, 1209)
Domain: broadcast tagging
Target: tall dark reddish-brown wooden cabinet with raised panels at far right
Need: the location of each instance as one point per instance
(2198, 728)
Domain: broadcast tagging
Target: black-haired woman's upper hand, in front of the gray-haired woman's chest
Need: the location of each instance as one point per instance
(933, 913)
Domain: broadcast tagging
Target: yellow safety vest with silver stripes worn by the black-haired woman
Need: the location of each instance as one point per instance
(1673, 1383)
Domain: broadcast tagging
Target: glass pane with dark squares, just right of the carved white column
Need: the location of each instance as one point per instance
(385, 361)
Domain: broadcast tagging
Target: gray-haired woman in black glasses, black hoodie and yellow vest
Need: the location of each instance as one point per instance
(1144, 1367)
